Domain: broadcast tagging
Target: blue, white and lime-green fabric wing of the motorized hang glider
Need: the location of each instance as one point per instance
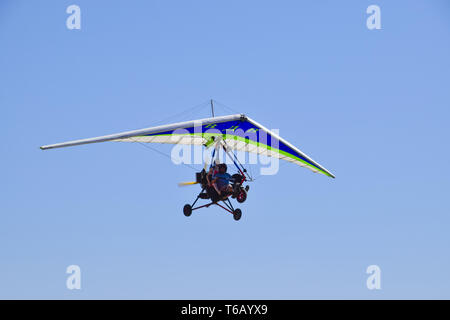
(238, 131)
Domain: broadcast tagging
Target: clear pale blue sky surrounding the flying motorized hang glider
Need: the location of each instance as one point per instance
(372, 106)
